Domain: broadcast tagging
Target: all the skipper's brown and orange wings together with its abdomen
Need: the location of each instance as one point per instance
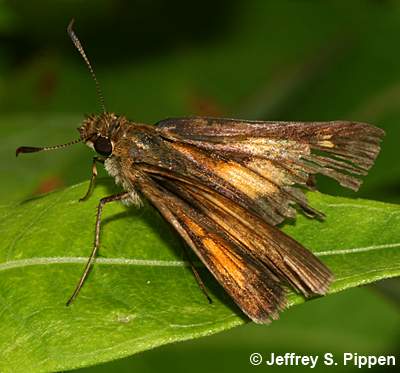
(224, 184)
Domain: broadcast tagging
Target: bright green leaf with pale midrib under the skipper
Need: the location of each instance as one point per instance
(140, 294)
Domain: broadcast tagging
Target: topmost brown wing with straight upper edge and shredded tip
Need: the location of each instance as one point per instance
(287, 152)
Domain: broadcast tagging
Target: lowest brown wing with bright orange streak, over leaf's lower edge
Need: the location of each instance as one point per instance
(251, 284)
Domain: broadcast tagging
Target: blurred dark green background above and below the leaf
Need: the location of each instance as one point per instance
(275, 60)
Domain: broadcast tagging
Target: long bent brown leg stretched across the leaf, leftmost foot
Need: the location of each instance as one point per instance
(89, 263)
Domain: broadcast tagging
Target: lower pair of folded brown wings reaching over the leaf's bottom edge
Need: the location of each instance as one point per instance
(251, 259)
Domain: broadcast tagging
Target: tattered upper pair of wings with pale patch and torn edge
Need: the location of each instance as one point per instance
(268, 161)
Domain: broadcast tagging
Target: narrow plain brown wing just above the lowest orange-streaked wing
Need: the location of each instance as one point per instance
(283, 256)
